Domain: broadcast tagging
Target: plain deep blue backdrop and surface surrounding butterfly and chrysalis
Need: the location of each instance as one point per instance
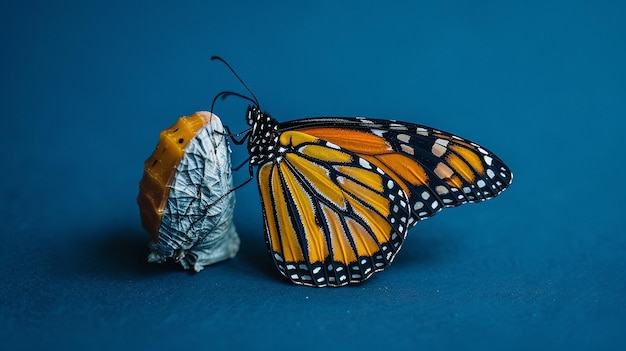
(88, 85)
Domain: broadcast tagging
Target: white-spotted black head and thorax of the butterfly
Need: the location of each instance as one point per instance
(263, 137)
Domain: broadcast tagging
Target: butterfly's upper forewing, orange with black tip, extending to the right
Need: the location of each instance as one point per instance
(435, 168)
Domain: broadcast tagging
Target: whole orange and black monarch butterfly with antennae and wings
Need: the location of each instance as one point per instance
(340, 194)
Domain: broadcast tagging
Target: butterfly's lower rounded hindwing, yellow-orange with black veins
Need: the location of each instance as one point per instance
(331, 217)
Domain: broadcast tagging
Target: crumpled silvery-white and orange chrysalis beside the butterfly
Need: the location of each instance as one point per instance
(185, 198)
